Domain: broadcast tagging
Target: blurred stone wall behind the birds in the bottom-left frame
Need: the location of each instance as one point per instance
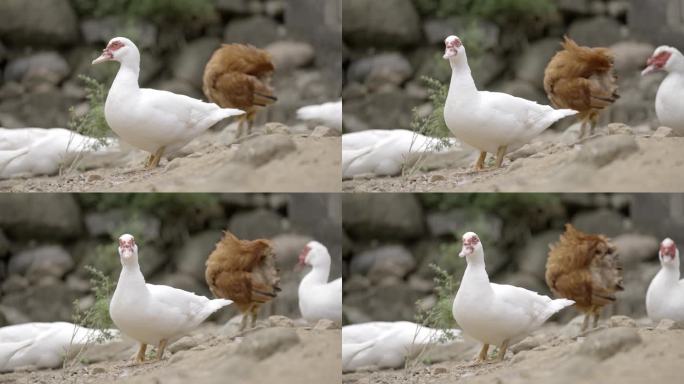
(48, 240)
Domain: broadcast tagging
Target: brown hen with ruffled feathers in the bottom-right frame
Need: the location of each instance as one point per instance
(585, 268)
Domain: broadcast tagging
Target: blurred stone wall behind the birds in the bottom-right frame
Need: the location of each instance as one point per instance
(391, 240)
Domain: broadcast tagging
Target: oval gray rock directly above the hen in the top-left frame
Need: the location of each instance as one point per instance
(258, 31)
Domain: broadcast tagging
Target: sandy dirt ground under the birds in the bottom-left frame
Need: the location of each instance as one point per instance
(282, 355)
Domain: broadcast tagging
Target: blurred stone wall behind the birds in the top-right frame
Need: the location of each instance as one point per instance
(390, 45)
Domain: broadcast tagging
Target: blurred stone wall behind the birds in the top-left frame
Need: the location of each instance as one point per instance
(45, 45)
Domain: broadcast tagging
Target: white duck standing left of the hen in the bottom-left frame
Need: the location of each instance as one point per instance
(154, 314)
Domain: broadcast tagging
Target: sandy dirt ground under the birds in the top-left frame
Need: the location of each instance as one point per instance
(212, 163)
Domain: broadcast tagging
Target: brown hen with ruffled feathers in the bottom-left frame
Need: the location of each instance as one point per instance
(243, 271)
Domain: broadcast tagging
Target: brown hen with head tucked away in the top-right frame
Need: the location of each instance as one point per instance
(583, 79)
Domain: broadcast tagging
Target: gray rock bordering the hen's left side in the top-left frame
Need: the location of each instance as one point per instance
(192, 58)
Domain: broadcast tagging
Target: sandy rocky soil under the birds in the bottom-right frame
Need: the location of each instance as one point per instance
(621, 350)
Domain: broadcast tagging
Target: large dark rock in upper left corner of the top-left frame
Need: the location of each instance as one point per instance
(42, 23)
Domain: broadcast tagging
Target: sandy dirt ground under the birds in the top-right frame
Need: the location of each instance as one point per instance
(602, 164)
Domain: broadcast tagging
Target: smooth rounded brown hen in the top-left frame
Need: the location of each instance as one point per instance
(238, 76)
